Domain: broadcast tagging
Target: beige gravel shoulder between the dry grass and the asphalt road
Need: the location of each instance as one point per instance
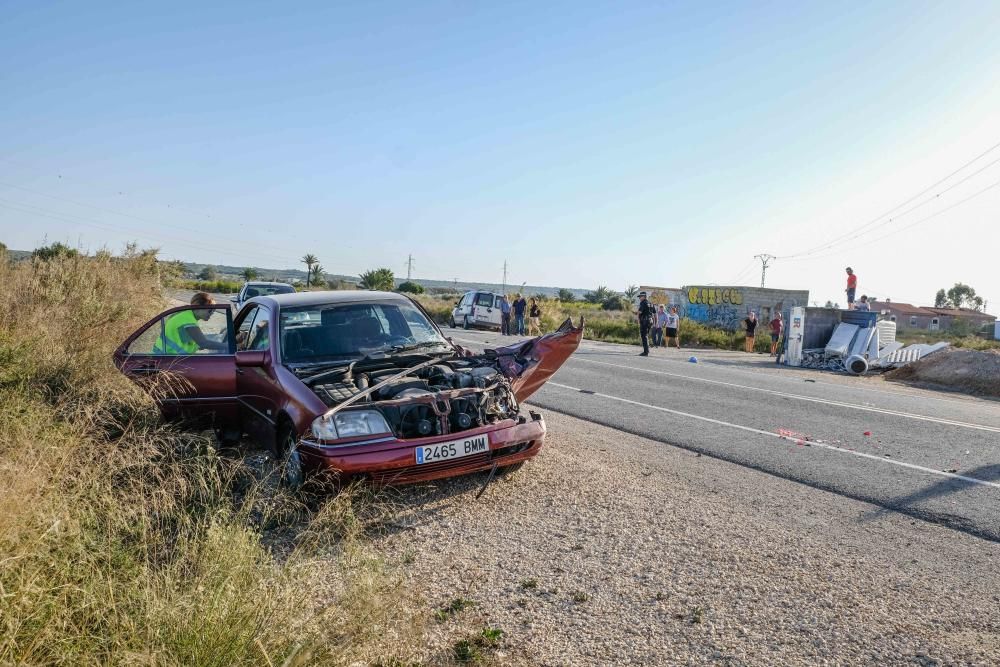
(609, 549)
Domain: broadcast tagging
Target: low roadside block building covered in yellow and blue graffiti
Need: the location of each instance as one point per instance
(726, 306)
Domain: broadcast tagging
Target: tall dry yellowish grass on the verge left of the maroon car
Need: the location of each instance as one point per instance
(121, 541)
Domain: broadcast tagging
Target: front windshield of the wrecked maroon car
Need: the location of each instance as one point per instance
(347, 331)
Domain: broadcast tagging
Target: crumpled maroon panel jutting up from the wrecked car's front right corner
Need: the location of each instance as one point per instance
(530, 363)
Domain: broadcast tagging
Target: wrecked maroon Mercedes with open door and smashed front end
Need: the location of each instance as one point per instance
(350, 383)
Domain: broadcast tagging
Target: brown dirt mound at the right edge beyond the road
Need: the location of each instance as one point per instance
(969, 371)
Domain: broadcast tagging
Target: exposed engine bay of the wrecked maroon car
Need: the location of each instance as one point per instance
(447, 397)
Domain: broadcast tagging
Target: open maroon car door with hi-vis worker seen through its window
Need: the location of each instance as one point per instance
(186, 379)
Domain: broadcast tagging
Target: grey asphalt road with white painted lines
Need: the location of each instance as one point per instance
(931, 455)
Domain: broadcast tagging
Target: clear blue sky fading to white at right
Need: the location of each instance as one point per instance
(584, 143)
